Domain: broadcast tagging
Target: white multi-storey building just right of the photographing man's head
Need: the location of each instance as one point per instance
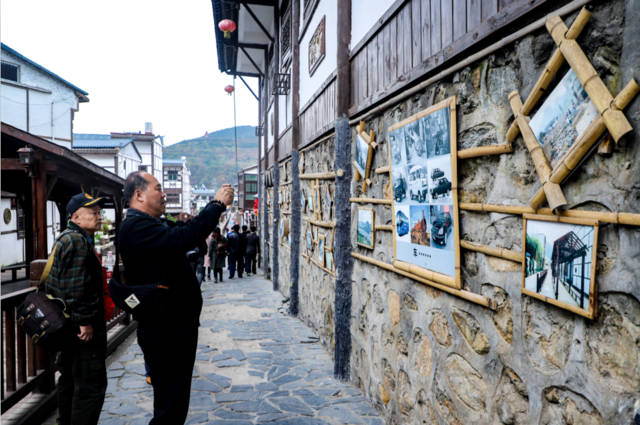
(176, 184)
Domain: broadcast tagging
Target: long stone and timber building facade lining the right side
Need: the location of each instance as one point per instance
(481, 351)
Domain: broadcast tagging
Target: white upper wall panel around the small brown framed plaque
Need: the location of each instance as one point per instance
(310, 84)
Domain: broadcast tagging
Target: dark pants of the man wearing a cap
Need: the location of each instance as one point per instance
(82, 384)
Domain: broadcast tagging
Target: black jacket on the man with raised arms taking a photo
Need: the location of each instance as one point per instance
(153, 251)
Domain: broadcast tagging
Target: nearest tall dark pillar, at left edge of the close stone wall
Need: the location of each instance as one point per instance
(342, 243)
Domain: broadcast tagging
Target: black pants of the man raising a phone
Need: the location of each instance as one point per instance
(170, 352)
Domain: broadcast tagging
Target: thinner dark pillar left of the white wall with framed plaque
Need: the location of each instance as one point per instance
(296, 213)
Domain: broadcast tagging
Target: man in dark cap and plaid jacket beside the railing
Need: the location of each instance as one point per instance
(76, 278)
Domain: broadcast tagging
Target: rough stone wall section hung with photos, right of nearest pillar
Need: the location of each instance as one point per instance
(428, 357)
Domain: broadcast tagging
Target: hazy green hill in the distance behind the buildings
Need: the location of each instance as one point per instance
(211, 158)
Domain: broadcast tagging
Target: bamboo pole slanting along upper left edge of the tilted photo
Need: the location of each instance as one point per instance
(549, 71)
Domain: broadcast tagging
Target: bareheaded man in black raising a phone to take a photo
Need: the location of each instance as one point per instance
(153, 252)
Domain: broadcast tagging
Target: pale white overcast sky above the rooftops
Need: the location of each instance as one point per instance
(140, 60)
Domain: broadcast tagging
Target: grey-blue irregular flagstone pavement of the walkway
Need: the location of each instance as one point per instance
(255, 365)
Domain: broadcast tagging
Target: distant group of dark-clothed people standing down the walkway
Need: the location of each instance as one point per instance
(239, 249)
